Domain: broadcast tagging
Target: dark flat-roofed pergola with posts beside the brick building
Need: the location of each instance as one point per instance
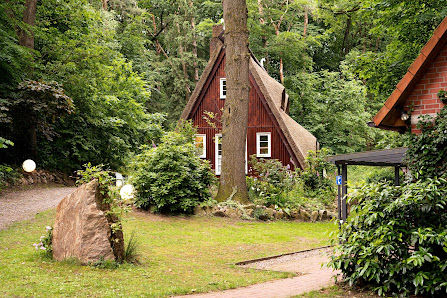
(386, 158)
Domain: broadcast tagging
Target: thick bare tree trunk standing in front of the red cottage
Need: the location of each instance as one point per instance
(235, 115)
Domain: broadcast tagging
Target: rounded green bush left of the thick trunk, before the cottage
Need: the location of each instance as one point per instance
(171, 176)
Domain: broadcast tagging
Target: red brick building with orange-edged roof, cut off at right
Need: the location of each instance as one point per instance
(419, 88)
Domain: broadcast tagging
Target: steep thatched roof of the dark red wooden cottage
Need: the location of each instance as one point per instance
(297, 138)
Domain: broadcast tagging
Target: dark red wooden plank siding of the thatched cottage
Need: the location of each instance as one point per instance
(260, 119)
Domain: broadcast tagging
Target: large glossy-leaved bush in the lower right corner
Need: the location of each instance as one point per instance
(396, 239)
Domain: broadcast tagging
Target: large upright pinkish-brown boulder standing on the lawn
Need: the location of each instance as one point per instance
(81, 229)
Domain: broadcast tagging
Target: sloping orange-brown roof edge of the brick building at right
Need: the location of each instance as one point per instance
(389, 115)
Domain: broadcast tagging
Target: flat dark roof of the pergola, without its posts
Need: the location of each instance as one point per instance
(386, 157)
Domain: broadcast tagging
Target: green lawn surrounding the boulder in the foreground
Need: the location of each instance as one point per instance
(178, 255)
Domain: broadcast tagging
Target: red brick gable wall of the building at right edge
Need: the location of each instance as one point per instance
(424, 98)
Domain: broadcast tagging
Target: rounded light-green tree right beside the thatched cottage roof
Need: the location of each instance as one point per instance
(331, 107)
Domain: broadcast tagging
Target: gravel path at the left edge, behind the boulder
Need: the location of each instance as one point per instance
(17, 205)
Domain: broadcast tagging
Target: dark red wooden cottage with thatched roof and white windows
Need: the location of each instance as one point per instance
(272, 133)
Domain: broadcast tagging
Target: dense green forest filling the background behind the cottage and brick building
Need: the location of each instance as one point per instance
(93, 81)
